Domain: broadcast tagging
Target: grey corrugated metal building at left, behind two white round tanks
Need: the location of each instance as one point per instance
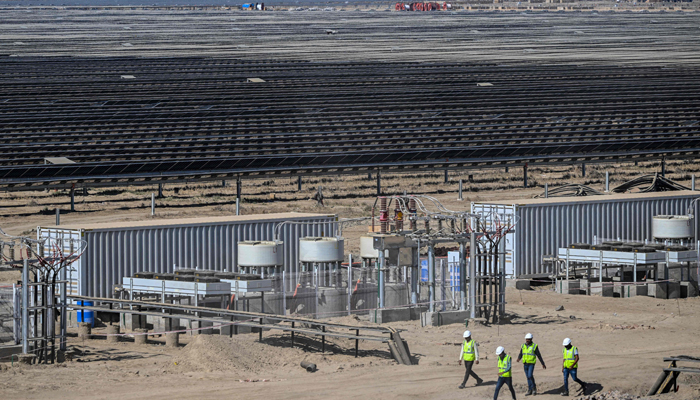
(116, 250)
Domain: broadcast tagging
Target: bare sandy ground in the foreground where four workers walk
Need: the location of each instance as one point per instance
(622, 343)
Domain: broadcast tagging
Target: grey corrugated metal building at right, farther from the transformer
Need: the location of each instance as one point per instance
(544, 225)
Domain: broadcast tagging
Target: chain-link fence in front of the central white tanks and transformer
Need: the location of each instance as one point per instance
(332, 289)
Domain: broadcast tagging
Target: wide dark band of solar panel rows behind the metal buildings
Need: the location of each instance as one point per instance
(184, 118)
